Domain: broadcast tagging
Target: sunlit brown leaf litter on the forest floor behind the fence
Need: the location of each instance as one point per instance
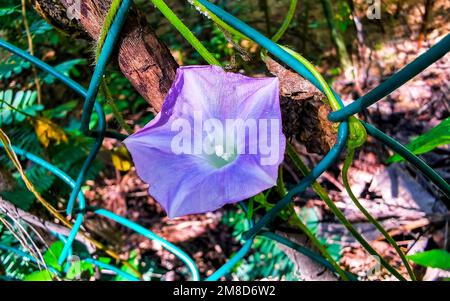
(409, 206)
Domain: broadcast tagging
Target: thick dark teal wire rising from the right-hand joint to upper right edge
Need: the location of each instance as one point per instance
(395, 81)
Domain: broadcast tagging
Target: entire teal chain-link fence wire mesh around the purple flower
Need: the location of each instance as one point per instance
(255, 228)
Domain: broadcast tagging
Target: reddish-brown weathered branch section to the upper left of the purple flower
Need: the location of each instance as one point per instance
(144, 60)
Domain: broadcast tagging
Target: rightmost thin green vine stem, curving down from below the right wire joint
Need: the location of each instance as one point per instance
(347, 163)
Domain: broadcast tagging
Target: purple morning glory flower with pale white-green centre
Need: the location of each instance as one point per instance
(217, 140)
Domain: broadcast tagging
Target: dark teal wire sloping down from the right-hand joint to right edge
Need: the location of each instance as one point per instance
(410, 157)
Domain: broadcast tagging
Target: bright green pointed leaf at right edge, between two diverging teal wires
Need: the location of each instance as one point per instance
(437, 136)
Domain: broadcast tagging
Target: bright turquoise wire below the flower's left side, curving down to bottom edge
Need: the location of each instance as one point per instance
(150, 235)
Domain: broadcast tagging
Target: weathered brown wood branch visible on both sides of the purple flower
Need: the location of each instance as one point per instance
(148, 64)
